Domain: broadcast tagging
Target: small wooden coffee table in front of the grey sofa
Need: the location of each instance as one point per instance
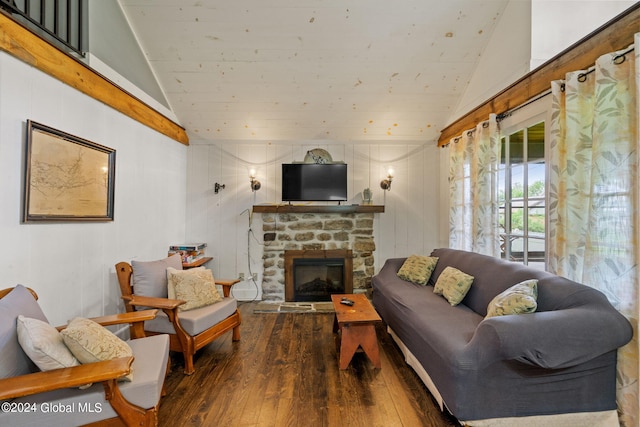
(356, 325)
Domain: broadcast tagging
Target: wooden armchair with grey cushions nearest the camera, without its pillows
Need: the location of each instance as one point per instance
(40, 391)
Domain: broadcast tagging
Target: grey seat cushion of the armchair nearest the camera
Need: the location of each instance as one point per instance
(85, 406)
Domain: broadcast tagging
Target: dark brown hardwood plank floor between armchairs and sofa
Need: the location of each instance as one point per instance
(284, 372)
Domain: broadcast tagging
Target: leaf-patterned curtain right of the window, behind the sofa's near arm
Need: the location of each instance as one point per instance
(594, 226)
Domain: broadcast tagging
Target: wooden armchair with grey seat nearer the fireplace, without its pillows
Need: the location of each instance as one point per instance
(190, 330)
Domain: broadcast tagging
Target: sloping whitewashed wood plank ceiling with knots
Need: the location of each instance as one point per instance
(330, 70)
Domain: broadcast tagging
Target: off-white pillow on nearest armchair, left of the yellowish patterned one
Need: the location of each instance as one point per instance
(44, 344)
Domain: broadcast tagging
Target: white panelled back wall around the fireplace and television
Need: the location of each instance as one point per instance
(410, 223)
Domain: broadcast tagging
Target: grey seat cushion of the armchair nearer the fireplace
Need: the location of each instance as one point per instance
(194, 321)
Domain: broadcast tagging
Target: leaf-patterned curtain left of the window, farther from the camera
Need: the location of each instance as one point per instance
(474, 158)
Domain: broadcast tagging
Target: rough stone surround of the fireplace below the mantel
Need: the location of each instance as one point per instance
(316, 231)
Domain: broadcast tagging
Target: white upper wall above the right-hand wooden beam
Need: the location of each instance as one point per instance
(530, 33)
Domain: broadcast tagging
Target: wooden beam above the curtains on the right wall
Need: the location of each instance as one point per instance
(615, 35)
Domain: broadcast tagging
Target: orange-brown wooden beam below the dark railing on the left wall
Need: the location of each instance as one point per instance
(35, 51)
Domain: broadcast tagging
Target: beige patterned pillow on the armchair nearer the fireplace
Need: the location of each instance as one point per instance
(195, 286)
